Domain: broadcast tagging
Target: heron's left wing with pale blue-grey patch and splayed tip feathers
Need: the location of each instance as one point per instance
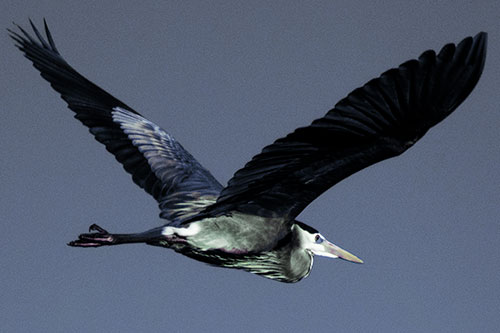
(156, 161)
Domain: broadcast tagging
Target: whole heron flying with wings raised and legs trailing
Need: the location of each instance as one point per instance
(251, 224)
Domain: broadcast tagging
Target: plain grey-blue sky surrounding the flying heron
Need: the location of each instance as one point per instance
(227, 78)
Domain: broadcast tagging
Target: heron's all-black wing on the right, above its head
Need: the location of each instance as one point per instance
(377, 121)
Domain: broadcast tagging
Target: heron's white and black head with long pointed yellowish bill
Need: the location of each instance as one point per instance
(311, 240)
